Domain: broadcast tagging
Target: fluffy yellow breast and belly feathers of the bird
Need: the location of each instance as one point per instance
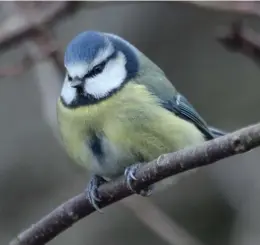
(133, 125)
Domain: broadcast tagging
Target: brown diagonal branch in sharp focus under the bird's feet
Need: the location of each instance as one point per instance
(165, 166)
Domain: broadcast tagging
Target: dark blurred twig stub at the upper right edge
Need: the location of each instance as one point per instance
(239, 38)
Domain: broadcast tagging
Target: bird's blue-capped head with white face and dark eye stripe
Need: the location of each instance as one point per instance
(98, 65)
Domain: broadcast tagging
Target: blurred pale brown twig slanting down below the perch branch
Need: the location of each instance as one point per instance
(154, 218)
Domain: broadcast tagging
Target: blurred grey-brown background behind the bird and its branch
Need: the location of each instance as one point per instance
(217, 205)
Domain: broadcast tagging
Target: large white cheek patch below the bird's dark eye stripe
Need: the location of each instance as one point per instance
(111, 78)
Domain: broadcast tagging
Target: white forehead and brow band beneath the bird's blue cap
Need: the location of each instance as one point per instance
(81, 68)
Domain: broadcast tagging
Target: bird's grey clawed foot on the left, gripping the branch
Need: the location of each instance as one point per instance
(92, 191)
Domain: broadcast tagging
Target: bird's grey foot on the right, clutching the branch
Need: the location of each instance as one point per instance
(130, 177)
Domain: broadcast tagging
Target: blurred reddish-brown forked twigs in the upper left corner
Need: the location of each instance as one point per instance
(32, 21)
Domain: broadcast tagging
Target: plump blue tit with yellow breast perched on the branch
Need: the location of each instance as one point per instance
(117, 108)
